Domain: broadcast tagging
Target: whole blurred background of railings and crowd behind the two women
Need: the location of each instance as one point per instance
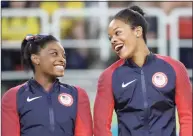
(82, 29)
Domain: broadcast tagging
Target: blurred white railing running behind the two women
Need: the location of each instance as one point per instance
(102, 43)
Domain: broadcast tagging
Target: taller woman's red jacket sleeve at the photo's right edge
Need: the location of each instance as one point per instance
(183, 99)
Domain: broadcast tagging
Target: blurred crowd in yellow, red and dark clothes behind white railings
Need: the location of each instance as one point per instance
(77, 28)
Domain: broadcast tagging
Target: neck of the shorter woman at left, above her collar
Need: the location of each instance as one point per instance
(45, 81)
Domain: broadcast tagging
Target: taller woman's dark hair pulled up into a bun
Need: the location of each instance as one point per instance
(135, 17)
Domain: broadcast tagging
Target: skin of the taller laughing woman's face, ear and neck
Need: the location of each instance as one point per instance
(134, 46)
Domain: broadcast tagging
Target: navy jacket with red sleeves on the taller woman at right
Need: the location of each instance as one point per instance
(144, 98)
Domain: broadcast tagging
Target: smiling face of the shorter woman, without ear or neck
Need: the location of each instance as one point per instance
(52, 59)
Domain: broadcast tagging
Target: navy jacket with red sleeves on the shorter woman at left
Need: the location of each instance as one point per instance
(28, 110)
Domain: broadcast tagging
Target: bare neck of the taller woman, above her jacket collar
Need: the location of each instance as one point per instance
(140, 54)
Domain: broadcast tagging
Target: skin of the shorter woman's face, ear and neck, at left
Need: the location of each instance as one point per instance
(46, 62)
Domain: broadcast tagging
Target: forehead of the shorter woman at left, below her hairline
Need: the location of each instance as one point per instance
(54, 45)
